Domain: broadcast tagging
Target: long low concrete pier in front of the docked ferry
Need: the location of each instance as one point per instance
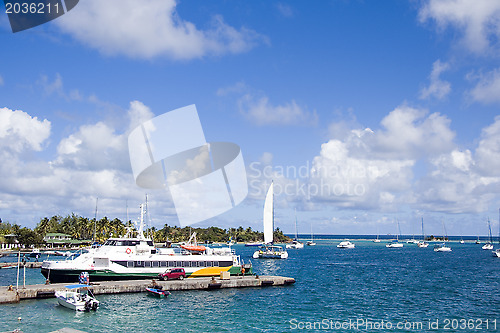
(10, 295)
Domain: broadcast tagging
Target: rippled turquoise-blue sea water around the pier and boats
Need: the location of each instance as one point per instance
(369, 288)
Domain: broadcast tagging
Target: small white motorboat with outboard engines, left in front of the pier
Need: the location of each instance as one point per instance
(77, 297)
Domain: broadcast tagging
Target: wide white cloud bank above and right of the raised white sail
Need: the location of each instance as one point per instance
(365, 168)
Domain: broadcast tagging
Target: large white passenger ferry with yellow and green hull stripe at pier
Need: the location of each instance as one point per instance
(128, 258)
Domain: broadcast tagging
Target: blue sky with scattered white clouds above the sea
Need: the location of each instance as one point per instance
(396, 99)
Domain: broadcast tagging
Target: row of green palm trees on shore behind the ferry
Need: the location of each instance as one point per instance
(83, 228)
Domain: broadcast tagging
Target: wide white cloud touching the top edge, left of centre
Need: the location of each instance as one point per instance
(151, 30)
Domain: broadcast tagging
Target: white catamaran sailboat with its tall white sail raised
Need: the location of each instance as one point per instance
(268, 250)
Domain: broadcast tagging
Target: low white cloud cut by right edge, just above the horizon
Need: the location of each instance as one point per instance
(464, 181)
